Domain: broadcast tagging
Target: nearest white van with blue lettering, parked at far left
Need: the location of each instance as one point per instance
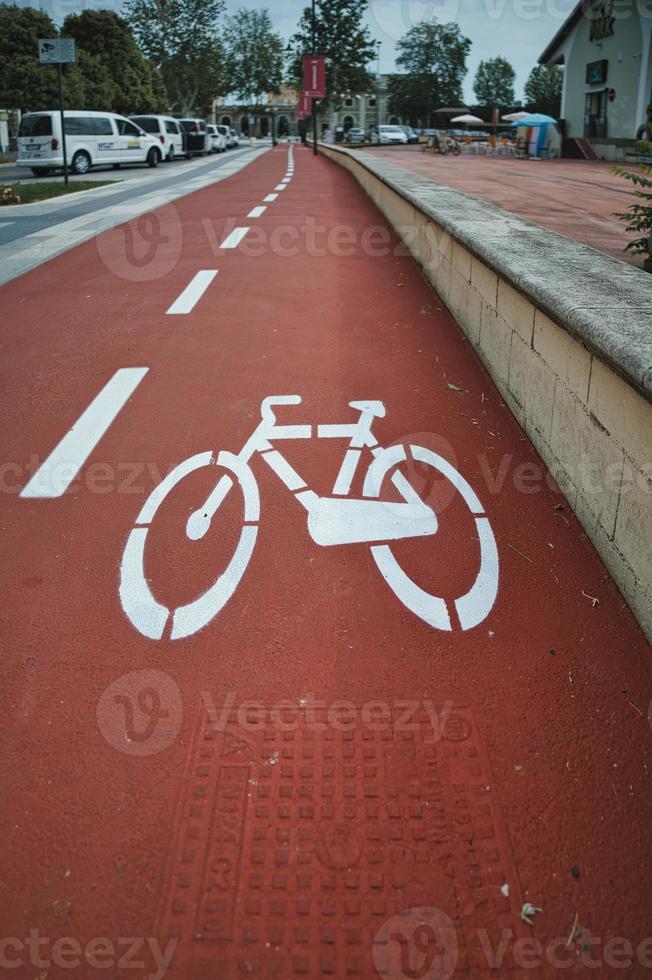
(92, 139)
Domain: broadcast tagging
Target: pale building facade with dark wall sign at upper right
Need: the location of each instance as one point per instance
(604, 48)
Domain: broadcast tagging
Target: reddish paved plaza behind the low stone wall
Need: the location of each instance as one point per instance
(577, 198)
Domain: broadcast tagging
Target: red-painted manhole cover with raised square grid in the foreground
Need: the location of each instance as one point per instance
(297, 841)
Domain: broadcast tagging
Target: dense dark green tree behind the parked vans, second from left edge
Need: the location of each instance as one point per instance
(110, 60)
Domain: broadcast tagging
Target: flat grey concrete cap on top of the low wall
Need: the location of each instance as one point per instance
(603, 302)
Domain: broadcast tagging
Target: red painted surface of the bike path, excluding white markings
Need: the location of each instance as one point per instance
(292, 839)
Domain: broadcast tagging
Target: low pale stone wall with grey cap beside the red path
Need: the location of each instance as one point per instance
(566, 334)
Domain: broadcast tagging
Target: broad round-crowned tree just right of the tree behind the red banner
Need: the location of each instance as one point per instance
(433, 57)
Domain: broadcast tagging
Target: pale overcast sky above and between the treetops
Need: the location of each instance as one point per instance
(516, 29)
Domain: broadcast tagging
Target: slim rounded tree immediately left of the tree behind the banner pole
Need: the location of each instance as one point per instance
(254, 54)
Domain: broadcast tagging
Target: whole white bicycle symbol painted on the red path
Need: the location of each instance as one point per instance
(335, 520)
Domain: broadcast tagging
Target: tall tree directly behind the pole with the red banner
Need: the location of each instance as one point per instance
(342, 37)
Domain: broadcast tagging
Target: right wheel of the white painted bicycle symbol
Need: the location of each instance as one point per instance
(475, 605)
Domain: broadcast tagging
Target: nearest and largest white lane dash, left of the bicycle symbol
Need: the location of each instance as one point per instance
(55, 475)
